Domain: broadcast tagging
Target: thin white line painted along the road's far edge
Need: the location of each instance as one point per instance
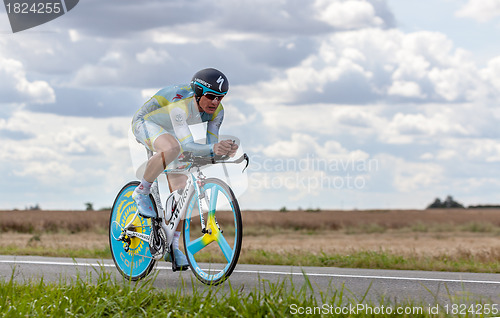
(271, 272)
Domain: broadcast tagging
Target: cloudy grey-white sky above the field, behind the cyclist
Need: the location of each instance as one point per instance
(340, 104)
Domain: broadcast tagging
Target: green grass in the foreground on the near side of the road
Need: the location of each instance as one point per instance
(102, 296)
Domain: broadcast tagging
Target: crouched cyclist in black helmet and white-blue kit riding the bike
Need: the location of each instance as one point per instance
(162, 125)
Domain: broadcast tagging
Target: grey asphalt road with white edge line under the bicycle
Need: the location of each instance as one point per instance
(425, 288)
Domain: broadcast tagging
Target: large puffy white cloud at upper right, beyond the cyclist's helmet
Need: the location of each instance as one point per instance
(371, 65)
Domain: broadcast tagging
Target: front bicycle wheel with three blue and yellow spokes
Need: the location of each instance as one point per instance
(213, 255)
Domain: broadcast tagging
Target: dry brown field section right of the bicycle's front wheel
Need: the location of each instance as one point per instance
(417, 232)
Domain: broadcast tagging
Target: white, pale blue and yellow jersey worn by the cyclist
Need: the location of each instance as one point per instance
(171, 110)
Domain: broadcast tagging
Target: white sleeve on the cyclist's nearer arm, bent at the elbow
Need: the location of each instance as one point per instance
(178, 116)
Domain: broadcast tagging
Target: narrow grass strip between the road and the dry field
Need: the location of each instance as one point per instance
(459, 262)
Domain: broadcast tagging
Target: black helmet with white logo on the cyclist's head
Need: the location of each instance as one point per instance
(209, 80)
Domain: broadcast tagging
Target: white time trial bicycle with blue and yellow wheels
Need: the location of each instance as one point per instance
(210, 212)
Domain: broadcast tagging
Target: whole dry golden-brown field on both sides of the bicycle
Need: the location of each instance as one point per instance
(404, 232)
